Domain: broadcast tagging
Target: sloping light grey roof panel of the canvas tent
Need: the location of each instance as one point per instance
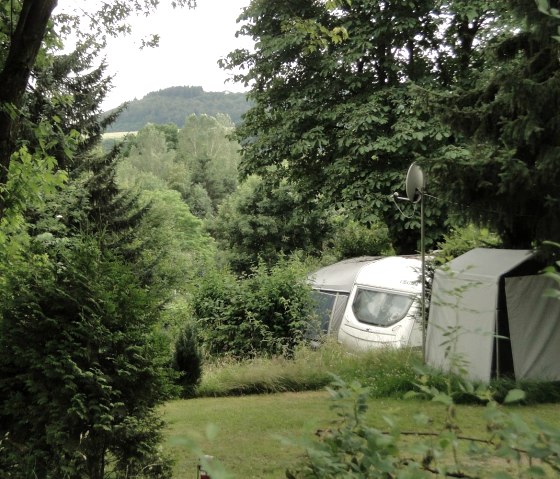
(488, 263)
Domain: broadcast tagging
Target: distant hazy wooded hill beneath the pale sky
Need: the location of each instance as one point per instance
(173, 105)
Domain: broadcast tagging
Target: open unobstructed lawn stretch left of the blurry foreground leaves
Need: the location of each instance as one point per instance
(248, 430)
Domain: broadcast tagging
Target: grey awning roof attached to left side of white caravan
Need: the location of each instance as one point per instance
(340, 276)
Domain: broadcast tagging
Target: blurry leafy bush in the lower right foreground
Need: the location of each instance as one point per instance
(352, 448)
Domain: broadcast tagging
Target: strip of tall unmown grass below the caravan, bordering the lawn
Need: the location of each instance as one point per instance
(386, 372)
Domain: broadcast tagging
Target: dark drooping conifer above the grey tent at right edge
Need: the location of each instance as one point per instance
(505, 163)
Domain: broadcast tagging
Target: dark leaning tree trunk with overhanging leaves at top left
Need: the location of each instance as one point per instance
(27, 29)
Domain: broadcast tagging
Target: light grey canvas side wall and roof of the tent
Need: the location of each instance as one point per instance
(464, 310)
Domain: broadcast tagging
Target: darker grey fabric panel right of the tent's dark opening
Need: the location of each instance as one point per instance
(534, 323)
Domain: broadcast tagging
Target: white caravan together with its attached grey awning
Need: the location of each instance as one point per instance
(369, 302)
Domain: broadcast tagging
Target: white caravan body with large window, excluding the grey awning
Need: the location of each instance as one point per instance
(384, 307)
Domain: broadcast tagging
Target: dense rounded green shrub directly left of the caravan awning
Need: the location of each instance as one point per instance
(266, 312)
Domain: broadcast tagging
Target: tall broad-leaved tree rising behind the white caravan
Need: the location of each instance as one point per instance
(337, 111)
